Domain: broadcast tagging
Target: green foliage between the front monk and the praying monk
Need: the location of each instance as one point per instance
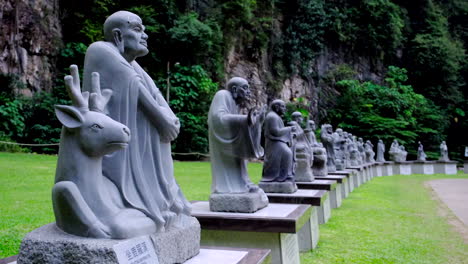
(191, 91)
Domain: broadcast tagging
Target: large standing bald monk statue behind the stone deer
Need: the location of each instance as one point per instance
(143, 173)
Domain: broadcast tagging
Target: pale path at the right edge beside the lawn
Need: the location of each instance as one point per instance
(454, 194)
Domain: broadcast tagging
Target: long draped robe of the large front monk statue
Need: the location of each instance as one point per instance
(143, 172)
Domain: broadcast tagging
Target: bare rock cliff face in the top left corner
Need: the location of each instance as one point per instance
(30, 41)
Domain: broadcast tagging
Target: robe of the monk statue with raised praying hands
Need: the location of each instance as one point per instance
(232, 141)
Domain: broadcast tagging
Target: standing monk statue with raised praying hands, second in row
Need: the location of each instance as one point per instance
(234, 138)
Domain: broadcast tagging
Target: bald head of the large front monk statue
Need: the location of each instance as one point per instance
(126, 31)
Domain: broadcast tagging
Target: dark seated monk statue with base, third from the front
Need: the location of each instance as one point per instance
(278, 166)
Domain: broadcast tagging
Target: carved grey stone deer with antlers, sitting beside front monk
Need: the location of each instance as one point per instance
(85, 202)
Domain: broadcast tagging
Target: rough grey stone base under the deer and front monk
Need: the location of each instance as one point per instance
(49, 244)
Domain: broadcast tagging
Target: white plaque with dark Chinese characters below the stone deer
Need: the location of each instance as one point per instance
(138, 250)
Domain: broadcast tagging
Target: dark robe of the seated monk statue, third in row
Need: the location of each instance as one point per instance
(278, 164)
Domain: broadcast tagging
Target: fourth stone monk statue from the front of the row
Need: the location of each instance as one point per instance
(303, 151)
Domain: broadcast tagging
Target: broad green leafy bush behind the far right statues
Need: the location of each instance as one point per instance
(388, 111)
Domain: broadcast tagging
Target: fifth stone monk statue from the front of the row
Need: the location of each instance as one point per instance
(319, 165)
